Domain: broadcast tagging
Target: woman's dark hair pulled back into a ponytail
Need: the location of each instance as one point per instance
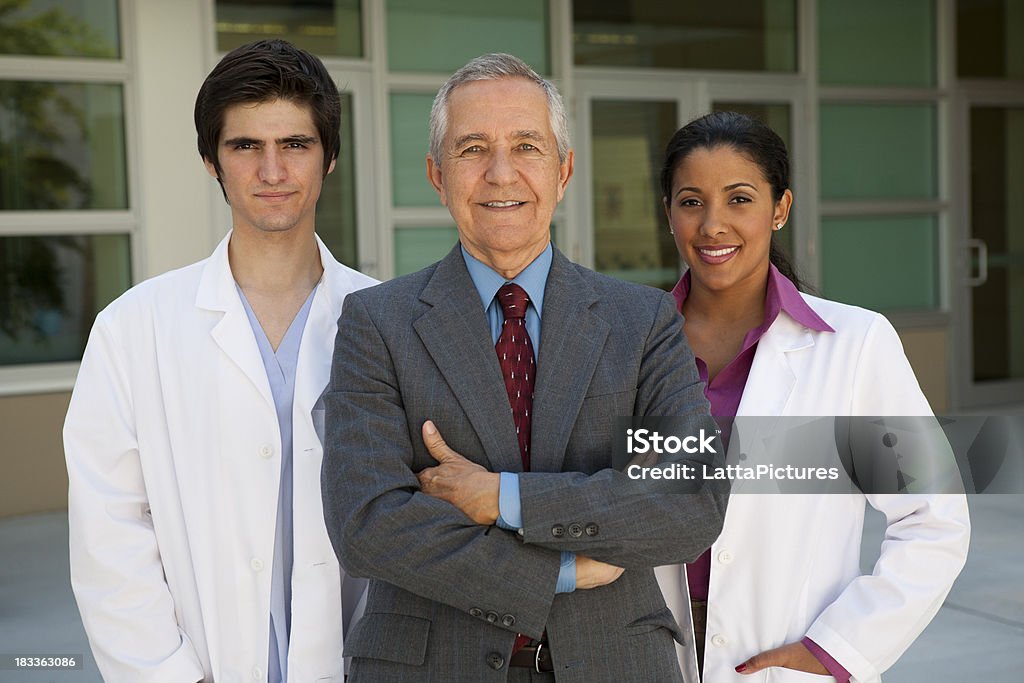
(750, 138)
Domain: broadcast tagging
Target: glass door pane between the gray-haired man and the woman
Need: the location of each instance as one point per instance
(631, 234)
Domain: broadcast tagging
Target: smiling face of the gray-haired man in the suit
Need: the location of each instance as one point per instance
(500, 176)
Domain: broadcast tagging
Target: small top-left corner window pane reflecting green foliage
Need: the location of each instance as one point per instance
(64, 29)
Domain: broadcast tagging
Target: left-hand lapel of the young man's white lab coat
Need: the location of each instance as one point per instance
(233, 334)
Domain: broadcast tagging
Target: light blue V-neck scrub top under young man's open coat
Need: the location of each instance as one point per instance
(281, 367)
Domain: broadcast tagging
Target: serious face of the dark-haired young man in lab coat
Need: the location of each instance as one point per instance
(272, 166)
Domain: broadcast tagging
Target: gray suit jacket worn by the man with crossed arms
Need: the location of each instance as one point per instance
(447, 596)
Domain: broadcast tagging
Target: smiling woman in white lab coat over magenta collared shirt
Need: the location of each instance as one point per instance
(782, 591)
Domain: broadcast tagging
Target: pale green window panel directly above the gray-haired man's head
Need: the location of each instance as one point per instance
(441, 36)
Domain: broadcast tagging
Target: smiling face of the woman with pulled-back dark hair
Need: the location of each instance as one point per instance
(722, 214)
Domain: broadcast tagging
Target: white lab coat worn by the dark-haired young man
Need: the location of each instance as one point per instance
(174, 454)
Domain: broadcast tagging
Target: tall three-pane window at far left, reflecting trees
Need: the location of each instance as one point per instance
(66, 210)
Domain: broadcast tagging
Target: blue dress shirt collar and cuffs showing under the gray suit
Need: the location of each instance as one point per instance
(534, 279)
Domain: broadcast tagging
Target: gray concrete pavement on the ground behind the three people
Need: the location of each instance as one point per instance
(978, 635)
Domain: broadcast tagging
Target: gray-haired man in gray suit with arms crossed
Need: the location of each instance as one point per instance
(497, 553)
